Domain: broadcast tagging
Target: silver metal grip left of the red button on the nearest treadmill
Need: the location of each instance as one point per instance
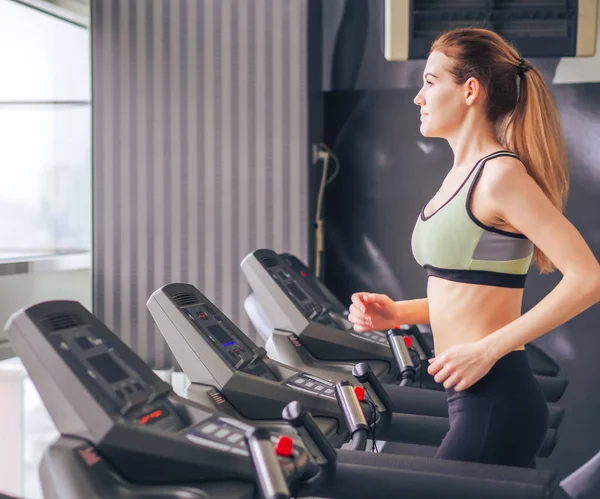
(270, 476)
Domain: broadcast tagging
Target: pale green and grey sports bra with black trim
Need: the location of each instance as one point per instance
(453, 244)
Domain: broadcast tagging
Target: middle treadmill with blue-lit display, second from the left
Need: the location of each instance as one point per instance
(214, 353)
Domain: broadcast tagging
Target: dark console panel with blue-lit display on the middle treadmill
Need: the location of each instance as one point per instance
(234, 349)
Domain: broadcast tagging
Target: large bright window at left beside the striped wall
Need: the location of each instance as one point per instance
(45, 134)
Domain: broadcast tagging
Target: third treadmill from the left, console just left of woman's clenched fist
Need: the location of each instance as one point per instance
(296, 309)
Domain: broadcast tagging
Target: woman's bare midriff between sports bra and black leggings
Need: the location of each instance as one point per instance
(461, 313)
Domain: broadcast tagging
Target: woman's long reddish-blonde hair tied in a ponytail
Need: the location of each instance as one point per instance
(521, 105)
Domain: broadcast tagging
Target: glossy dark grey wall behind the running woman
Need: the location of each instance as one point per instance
(389, 171)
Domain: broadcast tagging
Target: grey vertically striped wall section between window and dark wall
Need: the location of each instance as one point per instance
(200, 150)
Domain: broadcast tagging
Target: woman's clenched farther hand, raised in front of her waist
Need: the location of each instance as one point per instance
(372, 312)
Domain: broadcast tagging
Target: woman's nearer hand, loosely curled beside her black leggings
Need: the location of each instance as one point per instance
(461, 366)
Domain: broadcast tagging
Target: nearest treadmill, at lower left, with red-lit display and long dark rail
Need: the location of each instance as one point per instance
(125, 434)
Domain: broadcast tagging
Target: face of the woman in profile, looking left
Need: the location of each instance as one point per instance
(442, 100)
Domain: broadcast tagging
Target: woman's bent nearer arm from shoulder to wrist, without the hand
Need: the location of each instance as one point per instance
(519, 201)
